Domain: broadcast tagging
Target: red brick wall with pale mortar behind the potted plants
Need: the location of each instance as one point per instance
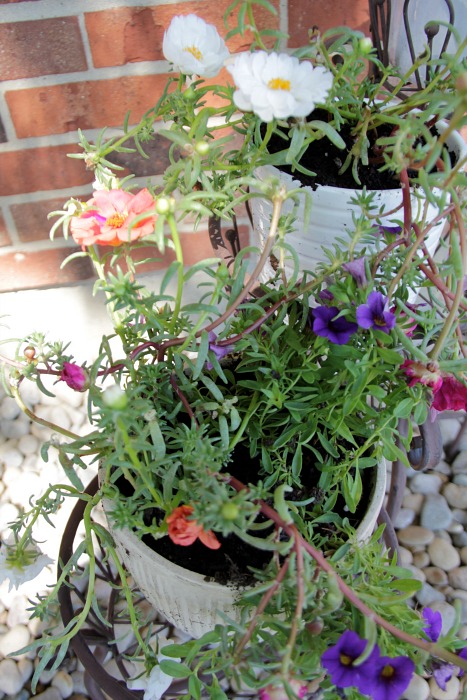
(84, 64)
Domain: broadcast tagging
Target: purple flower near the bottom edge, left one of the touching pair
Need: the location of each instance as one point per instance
(339, 663)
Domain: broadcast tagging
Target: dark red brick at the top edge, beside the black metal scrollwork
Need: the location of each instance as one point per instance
(304, 14)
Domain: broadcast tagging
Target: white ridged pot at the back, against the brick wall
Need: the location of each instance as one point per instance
(332, 210)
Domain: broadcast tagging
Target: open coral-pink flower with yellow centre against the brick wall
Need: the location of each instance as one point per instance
(110, 215)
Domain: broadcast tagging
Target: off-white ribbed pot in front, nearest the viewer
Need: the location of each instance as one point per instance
(184, 597)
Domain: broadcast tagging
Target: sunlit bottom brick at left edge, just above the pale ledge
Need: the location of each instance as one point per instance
(41, 269)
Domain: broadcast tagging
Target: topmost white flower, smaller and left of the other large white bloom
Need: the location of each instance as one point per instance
(194, 46)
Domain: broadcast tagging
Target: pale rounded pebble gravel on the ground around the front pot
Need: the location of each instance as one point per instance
(430, 528)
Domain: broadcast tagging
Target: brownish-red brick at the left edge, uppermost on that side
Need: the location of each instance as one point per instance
(41, 47)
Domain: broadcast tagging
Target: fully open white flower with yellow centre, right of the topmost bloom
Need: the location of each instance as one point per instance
(278, 85)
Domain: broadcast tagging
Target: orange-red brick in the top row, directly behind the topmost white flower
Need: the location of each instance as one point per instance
(130, 34)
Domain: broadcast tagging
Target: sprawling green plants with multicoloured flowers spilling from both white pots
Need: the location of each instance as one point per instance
(258, 411)
